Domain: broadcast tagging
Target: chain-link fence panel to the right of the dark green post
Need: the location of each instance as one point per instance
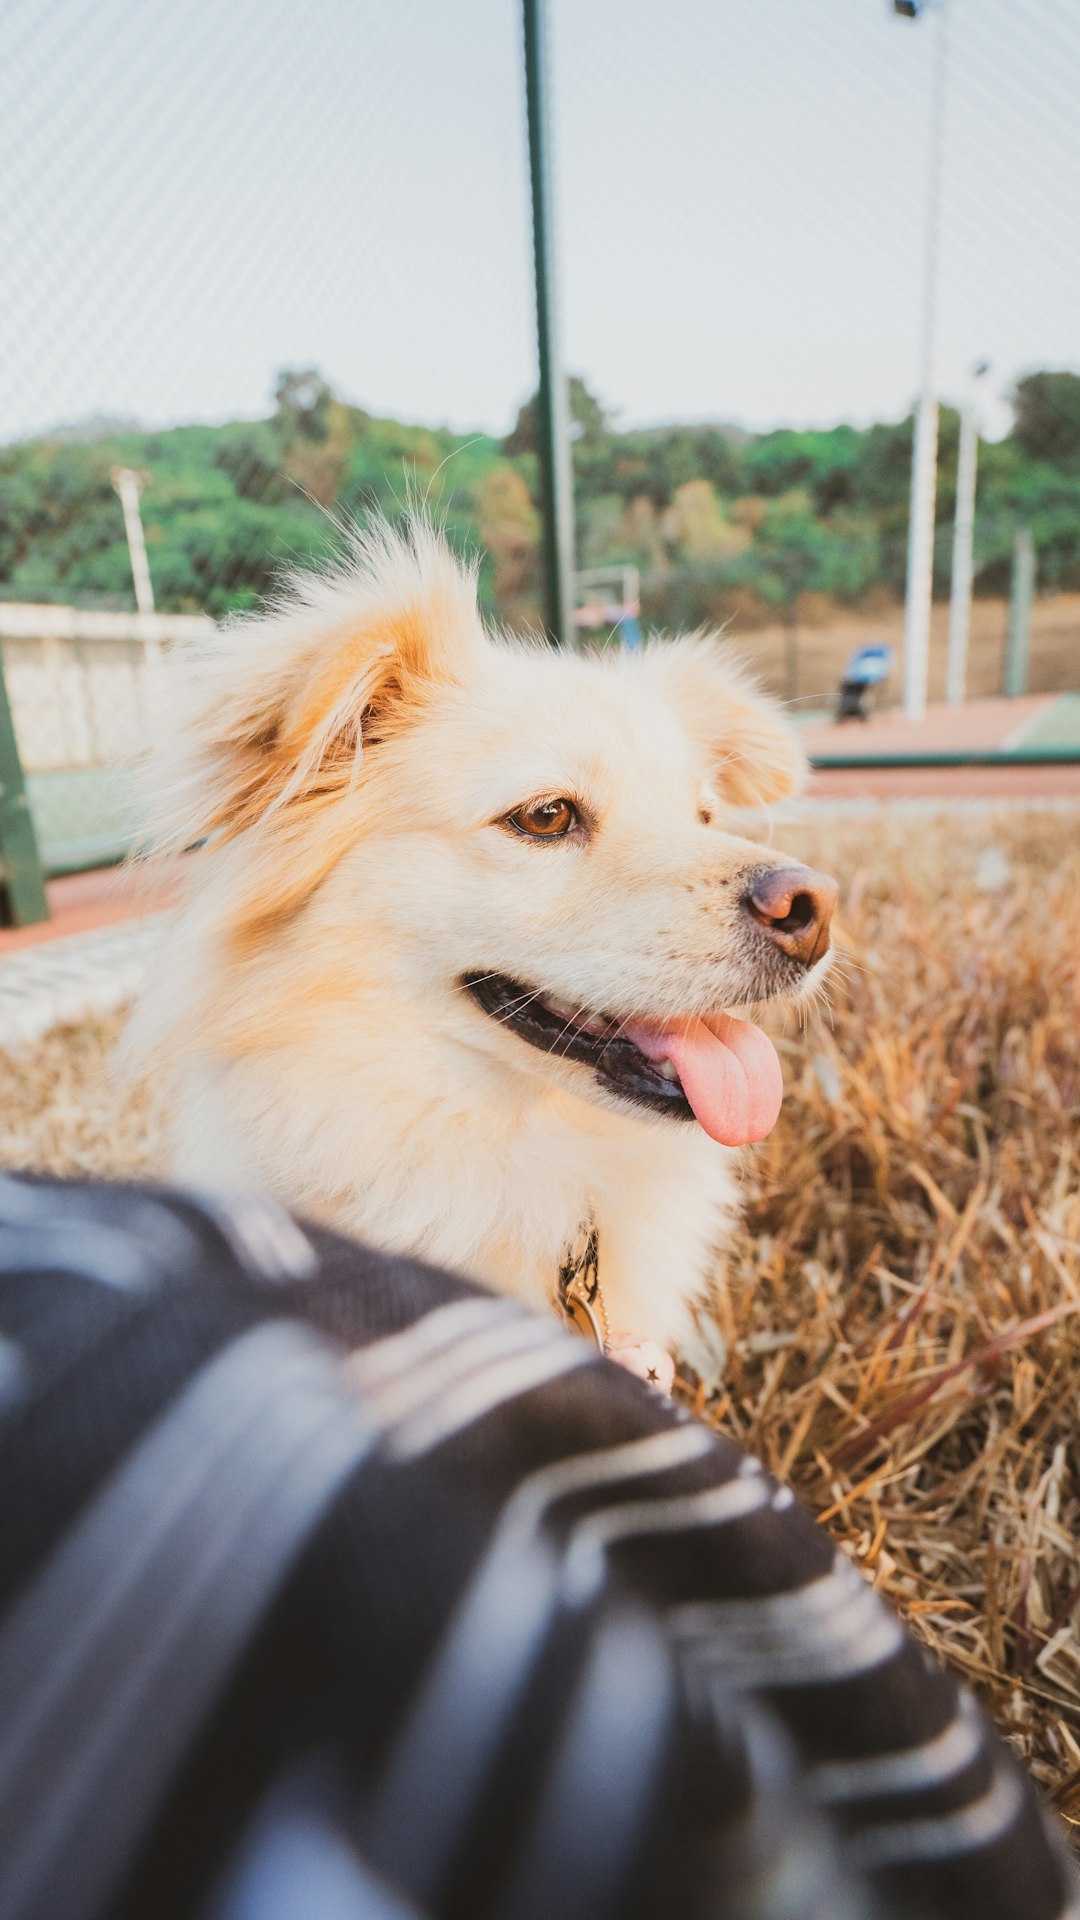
(852, 199)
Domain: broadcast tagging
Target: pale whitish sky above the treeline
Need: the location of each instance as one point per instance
(195, 195)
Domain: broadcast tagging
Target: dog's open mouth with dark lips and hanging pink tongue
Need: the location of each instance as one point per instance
(720, 1072)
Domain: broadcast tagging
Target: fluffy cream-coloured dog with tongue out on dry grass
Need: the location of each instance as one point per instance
(456, 961)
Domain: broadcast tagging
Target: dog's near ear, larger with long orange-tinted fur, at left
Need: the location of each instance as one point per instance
(283, 706)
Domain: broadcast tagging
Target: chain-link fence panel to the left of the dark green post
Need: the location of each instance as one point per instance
(257, 258)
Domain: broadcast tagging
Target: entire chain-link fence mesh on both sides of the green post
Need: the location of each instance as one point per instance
(272, 266)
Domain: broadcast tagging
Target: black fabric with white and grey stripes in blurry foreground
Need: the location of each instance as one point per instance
(326, 1560)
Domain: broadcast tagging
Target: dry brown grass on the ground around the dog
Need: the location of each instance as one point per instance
(904, 1307)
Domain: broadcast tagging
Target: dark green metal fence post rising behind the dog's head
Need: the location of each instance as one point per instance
(552, 410)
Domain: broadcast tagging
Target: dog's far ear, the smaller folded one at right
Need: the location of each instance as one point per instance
(752, 752)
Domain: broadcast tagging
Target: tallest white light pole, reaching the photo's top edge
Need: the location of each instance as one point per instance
(925, 444)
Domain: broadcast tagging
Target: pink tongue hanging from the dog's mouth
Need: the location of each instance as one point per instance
(729, 1074)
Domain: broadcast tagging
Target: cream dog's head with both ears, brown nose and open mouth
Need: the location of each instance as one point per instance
(531, 848)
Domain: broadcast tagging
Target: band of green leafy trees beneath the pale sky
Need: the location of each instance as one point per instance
(720, 521)
